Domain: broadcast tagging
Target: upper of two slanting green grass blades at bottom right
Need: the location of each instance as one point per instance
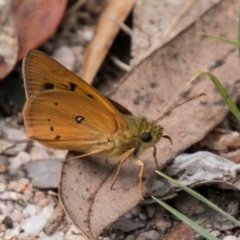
(201, 198)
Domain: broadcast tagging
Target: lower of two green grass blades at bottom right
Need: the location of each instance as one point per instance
(186, 220)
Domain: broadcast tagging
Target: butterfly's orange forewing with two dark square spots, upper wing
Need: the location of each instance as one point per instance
(43, 73)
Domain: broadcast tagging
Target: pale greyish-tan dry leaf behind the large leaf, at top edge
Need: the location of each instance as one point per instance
(157, 22)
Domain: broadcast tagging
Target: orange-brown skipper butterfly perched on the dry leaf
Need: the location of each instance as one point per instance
(62, 111)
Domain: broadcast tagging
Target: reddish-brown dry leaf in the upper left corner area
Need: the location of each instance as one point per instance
(36, 21)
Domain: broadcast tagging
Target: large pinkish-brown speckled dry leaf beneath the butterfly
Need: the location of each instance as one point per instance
(151, 88)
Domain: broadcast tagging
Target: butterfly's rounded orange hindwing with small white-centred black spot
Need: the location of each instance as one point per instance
(67, 120)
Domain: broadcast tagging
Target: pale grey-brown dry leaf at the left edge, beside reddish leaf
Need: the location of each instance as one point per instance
(8, 39)
